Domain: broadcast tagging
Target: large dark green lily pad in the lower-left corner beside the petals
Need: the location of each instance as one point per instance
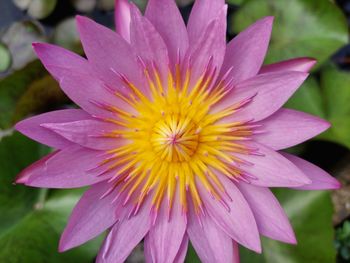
(30, 220)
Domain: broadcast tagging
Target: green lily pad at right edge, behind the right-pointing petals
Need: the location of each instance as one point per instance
(329, 99)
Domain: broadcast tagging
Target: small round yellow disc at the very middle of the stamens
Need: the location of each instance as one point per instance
(175, 138)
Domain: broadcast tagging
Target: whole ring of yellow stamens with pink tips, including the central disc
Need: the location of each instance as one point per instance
(175, 141)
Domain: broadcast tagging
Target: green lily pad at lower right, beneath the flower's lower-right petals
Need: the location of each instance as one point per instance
(310, 213)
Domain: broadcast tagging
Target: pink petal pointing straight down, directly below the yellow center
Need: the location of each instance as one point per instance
(166, 236)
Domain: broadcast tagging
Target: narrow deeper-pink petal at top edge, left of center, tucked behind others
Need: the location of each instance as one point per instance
(122, 18)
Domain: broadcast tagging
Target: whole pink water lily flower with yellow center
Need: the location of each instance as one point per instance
(178, 135)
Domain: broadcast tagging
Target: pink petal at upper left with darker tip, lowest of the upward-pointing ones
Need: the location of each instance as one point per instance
(76, 78)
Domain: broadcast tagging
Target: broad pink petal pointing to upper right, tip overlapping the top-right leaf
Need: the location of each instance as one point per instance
(246, 52)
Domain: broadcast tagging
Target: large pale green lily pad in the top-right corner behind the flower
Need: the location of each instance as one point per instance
(312, 28)
